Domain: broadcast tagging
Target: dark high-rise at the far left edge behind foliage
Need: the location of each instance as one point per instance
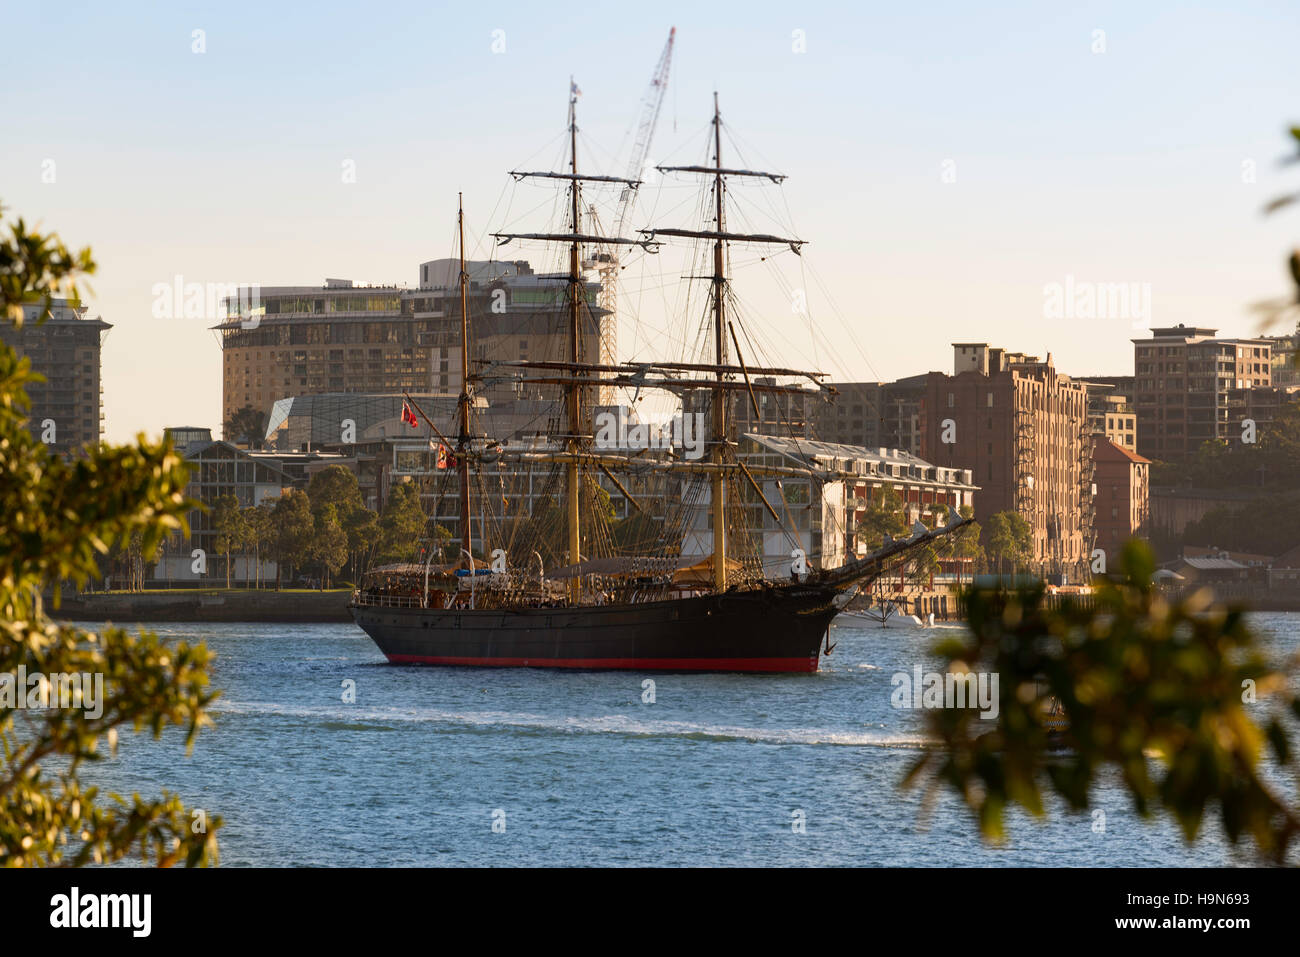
(63, 345)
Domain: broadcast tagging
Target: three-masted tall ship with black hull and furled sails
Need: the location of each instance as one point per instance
(551, 577)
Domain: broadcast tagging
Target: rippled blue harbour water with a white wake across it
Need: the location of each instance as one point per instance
(587, 774)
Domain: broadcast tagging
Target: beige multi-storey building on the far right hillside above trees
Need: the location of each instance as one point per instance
(1191, 388)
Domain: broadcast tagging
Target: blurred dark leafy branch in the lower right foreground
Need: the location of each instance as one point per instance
(1175, 695)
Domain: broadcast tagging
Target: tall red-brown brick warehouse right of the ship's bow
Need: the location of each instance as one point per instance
(1022, 430)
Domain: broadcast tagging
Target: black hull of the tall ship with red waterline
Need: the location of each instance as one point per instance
(772, 630)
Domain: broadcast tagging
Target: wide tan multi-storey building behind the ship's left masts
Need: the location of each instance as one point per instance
(285, 341)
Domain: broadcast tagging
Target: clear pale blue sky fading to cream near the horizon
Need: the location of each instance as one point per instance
(1125, 166)
